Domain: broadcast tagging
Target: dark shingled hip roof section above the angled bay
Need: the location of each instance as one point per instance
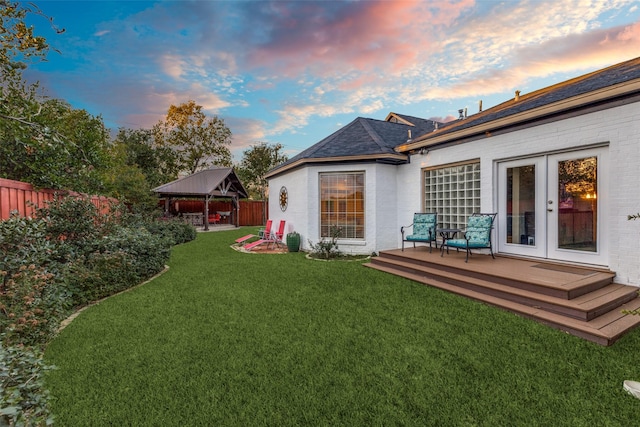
(363, 137)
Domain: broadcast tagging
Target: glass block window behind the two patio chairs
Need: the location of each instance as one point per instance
(453, 192)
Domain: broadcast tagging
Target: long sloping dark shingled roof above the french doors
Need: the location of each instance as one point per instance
(610, 76)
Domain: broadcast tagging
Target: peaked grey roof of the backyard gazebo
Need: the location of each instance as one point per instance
(216, 182)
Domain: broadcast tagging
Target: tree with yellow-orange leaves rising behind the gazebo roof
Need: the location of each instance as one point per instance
(197, 141)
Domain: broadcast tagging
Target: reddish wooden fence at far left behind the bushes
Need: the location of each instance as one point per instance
(23, 198)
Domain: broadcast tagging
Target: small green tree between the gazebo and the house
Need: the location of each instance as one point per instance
(256, 162)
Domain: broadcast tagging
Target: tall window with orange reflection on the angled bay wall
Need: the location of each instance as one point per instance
(342, 204)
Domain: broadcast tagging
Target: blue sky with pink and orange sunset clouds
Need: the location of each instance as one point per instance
(294, 72)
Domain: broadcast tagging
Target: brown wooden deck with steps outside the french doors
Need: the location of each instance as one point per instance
(579, 300)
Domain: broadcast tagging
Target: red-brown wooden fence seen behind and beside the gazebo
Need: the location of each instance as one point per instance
(250, 212)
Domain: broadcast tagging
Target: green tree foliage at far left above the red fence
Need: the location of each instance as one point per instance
(44, 142)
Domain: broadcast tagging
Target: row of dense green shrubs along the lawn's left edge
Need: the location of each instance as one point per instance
(65, 257)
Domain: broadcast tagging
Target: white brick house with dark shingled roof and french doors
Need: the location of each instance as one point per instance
(560, 166)
